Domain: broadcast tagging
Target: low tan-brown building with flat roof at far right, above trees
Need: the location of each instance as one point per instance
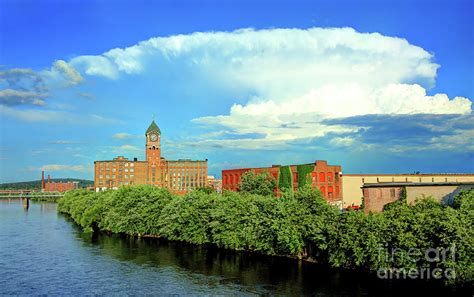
(377, 195)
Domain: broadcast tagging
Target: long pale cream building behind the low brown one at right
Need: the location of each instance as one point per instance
(352, 183)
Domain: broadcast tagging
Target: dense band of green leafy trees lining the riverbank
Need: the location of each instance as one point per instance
(298, 224)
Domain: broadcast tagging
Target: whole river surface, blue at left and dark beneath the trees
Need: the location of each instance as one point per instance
(42, 252)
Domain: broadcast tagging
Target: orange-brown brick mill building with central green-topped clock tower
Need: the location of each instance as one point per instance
(180, 176)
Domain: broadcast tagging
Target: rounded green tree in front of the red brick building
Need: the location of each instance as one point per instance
(261, 184)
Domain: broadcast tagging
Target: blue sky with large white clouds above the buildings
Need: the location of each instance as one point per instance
(373, 86)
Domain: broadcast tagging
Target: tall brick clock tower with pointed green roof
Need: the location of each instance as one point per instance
(153, 155)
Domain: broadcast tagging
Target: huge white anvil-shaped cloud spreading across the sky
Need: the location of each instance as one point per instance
(294, 78)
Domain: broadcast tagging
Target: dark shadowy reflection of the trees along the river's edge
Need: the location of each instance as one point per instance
(255, 273)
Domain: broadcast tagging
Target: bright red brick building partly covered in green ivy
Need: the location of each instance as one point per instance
(326, 178)
